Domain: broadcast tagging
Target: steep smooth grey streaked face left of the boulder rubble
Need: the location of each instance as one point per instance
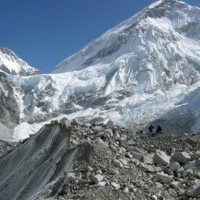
(37, 167)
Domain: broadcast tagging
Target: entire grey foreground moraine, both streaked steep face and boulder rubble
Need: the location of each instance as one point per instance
(100, 161)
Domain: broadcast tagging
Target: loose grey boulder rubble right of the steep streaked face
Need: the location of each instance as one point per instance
(129, 166)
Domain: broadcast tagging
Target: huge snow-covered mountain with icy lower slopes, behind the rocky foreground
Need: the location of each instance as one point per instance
(146, 69)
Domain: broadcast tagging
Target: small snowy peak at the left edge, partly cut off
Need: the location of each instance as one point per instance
(12, 64)
